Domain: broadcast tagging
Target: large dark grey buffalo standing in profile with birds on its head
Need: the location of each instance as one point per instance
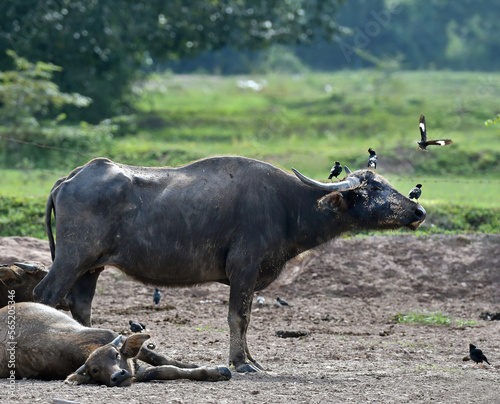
(232, 220)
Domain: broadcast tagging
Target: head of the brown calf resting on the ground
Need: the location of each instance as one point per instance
(111, 364)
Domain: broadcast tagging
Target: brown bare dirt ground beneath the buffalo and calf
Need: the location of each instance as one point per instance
(345, 295)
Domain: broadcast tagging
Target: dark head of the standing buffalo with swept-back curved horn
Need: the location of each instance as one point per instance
(366, 200)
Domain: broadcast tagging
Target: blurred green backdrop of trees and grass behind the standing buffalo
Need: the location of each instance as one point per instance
(294, 83)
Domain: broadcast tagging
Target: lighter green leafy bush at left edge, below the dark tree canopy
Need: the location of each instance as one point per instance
(32, 133)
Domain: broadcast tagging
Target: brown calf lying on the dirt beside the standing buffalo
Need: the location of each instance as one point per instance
(39, 342)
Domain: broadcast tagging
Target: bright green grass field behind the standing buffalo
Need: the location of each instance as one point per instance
(311, 120)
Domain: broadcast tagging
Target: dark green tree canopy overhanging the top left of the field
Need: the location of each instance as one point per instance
(102, 46)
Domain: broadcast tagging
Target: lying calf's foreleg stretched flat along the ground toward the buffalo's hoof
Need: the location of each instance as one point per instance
(168, 372)
